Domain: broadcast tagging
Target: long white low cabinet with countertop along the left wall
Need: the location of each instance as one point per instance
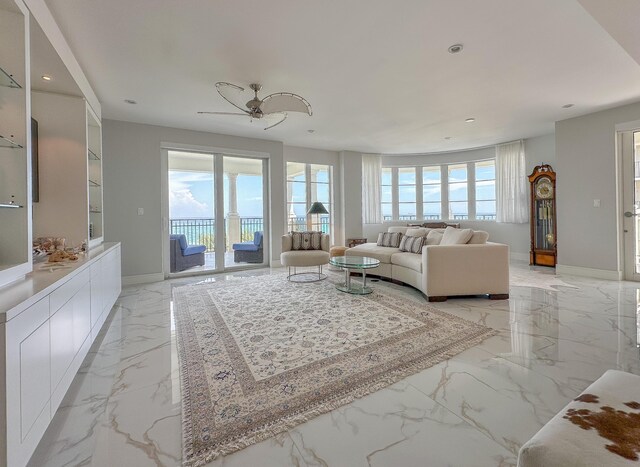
(50, 321)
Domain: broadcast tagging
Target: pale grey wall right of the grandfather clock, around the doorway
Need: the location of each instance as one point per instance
(586, 168)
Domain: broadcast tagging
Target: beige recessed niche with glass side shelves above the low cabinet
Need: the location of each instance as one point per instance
(70, 166)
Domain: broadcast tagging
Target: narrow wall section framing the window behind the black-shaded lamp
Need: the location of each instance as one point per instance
(332, 158)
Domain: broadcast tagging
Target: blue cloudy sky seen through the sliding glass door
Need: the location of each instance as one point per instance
(191, 195)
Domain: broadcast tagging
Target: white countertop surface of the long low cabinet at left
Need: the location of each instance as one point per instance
(19, 295)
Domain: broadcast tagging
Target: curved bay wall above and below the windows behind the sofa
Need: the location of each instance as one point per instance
(517, 236)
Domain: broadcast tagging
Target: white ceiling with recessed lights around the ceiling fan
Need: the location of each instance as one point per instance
(376, 72)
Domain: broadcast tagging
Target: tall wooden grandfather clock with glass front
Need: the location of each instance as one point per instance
(543, 216)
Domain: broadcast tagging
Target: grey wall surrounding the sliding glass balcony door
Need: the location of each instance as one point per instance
(132, 179)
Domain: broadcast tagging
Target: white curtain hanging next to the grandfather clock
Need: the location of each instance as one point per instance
(511, 183)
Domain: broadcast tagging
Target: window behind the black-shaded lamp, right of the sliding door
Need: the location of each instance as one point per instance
(306, 184)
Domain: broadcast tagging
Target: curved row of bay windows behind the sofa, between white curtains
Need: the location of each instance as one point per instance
(448, 191)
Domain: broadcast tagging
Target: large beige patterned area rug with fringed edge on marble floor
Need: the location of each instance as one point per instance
(260, 355)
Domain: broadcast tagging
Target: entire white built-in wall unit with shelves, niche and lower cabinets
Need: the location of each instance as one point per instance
(48, 318)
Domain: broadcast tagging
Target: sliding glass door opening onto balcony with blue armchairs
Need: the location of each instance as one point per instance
(216, 212)
